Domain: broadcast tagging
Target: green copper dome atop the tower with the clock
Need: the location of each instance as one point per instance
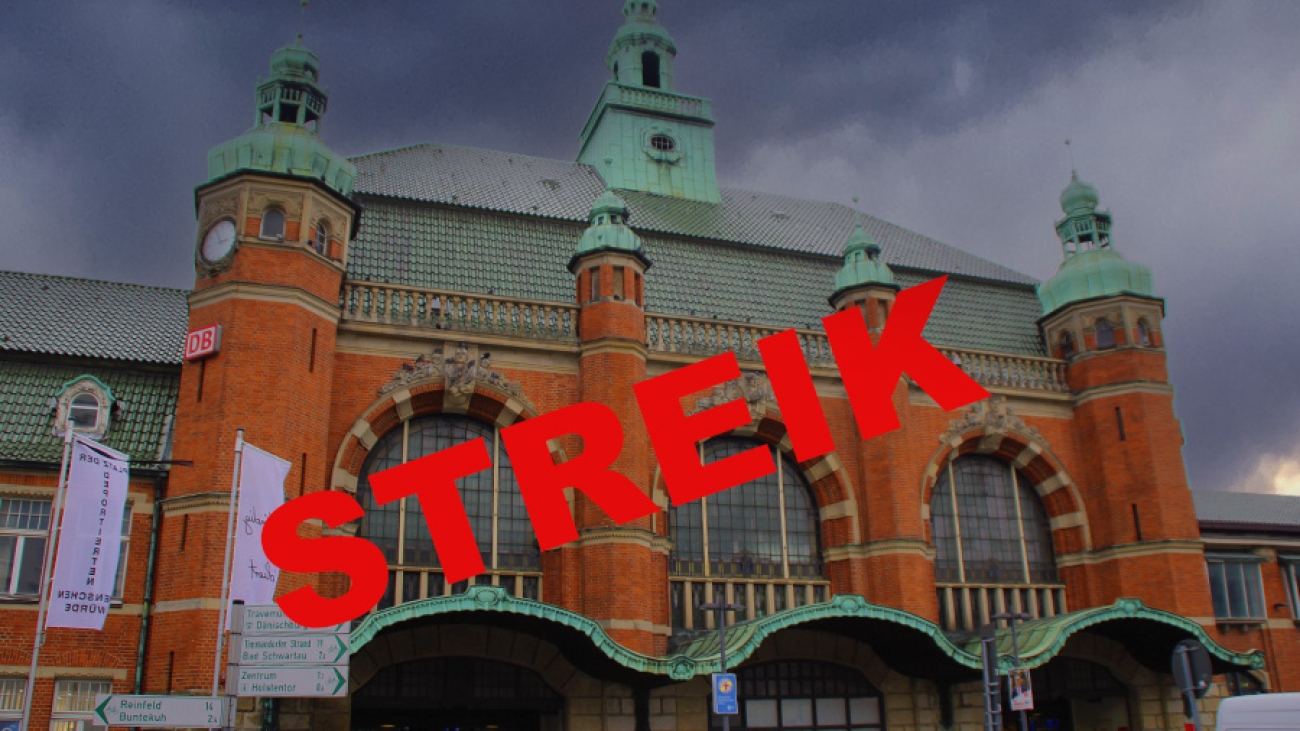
(289, 110)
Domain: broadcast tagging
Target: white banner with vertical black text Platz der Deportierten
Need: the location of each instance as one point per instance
(90, 537)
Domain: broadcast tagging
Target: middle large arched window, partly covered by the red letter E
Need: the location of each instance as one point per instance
(756, 544)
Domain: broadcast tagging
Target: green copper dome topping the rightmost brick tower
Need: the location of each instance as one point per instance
(1093, 267)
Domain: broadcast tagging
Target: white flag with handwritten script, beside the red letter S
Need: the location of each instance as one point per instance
(262, 490)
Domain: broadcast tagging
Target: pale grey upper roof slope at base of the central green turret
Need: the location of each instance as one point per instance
(554, 189)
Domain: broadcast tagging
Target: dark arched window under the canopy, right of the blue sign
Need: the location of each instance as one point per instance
(808, 695)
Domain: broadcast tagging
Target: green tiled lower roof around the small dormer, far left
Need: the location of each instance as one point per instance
(28, 421)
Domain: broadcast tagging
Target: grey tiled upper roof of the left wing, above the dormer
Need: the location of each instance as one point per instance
(92, 319)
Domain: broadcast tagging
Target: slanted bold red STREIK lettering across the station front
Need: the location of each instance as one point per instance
(870, 374)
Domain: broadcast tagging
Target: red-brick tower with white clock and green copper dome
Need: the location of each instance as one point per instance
(275, 218)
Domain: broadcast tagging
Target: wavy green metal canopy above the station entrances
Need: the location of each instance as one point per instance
(905, 642)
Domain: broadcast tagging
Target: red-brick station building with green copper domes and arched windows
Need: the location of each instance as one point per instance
(379, 309)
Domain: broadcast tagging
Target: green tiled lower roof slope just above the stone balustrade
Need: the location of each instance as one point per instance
(467, 250)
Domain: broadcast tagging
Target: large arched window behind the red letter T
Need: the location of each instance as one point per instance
(398, 529)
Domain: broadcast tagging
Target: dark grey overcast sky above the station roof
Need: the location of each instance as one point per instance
(944, 118)
